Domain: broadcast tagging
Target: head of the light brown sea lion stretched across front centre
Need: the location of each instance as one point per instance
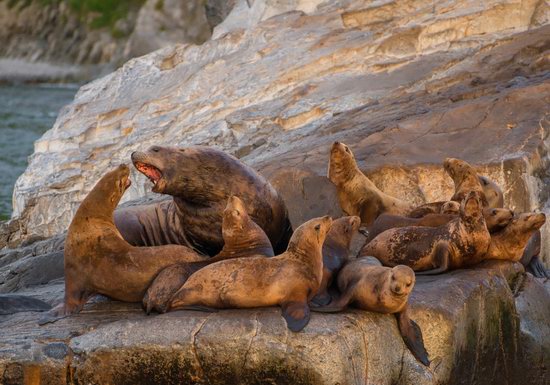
(310, 235)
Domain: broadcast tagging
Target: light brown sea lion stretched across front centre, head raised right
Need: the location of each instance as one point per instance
(289, 280)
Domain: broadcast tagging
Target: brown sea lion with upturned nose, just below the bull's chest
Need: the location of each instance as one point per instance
(242, 238)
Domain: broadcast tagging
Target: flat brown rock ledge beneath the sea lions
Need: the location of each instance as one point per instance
(488, 325)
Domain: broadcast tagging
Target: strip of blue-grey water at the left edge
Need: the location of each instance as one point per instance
(26, 112)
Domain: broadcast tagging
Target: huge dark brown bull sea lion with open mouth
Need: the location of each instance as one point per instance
(200, 179)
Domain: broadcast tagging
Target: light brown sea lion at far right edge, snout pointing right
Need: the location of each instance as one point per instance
(509, 244)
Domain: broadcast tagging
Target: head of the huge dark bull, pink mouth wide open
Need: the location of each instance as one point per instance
(195, 173)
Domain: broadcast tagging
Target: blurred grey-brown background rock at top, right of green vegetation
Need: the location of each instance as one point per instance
(161, 23)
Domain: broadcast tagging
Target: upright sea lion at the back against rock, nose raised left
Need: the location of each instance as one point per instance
(357, 194)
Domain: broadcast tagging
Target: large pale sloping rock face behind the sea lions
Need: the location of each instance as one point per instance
(404, 83)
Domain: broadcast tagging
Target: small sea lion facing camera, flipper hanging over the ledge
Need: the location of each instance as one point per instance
(364, 284)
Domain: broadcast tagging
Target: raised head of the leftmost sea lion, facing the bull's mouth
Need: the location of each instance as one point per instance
(109, 190)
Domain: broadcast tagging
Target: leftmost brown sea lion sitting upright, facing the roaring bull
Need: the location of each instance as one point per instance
(99, 261)
